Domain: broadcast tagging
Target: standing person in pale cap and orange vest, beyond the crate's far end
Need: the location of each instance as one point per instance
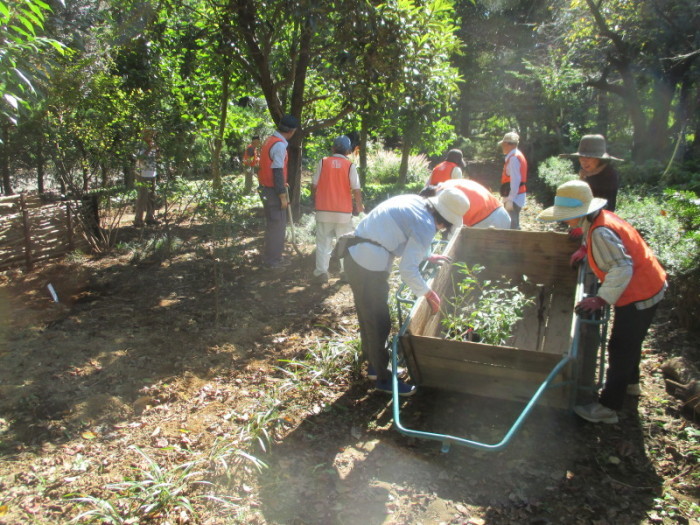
(513, 178)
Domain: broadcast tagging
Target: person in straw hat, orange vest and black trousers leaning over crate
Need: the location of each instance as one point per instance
(631, 279)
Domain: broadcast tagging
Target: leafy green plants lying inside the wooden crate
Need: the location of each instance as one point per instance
(489, 309)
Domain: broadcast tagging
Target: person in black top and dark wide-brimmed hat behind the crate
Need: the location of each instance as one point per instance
(596, 168)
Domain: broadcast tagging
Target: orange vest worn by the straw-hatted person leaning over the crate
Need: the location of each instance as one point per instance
(648, 276)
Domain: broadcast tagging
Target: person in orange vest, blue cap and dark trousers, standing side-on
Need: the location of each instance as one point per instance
(272, 177)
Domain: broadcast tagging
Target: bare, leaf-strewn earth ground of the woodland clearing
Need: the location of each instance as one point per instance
(141, 367)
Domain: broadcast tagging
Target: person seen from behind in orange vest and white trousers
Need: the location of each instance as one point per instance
(334, 185)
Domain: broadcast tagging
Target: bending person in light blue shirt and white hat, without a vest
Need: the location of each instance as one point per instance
(402, 226)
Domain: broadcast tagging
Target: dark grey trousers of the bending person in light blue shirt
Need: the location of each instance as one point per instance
(371, 293)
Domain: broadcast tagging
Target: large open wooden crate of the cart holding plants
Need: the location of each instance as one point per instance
(539, 341)
